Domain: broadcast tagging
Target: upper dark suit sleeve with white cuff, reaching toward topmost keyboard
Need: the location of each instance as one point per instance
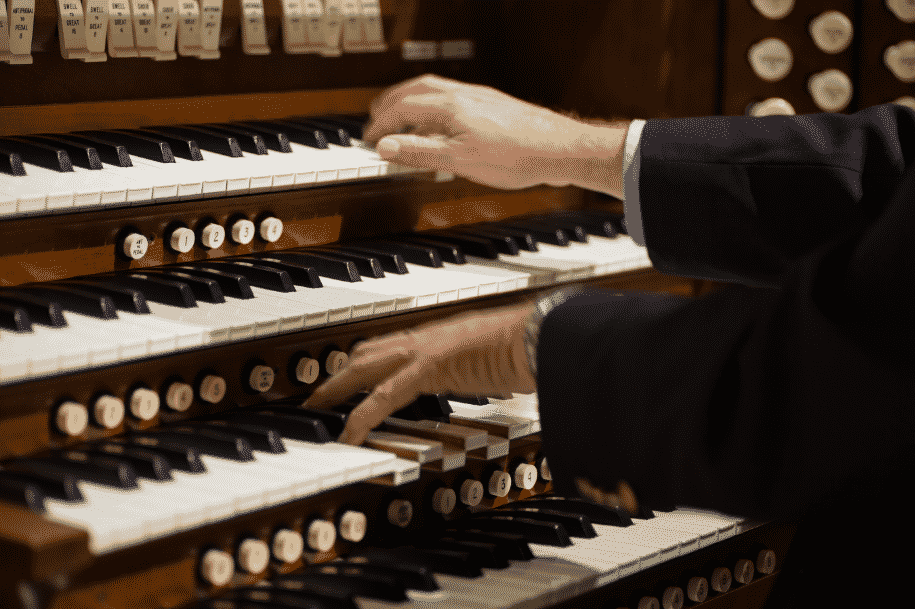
(740, 198)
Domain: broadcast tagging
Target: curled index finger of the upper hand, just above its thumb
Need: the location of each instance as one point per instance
(427, 111)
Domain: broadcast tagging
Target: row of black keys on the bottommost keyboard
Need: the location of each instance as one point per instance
(388, 573)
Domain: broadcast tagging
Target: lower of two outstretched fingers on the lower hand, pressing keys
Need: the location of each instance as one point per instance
(387, 398)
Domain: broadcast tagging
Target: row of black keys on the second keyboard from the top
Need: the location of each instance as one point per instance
(211, 280)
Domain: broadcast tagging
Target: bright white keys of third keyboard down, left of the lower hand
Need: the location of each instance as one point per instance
(117, 518)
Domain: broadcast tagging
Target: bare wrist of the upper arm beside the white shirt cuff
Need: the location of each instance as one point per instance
(596, 159)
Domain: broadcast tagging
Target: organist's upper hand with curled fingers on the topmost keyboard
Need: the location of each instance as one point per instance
(481, 134)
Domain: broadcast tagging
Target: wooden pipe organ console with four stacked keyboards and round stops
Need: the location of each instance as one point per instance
(195, 236)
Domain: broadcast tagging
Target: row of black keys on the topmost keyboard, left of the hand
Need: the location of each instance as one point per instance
(88, 149)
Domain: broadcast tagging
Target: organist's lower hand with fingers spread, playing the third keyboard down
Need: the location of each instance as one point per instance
(470, 354)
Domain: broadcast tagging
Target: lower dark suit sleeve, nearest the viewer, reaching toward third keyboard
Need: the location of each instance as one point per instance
(764, 402)
